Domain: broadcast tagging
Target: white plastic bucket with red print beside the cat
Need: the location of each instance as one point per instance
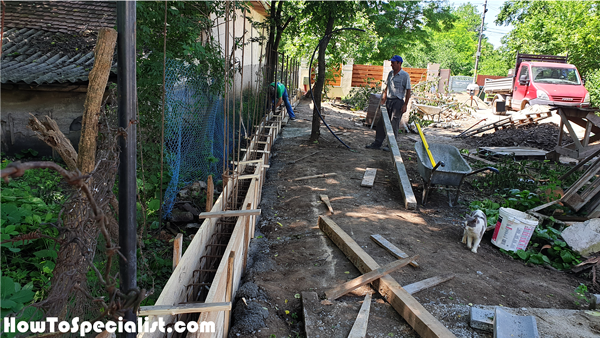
(513, 229)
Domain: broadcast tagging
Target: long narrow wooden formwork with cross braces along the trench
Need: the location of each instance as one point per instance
(233, 261)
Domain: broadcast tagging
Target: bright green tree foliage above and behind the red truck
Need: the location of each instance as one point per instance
(565, 27)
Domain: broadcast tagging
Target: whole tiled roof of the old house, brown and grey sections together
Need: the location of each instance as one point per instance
(46, 43)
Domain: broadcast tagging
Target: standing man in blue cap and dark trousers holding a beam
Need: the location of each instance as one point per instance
(396, 93)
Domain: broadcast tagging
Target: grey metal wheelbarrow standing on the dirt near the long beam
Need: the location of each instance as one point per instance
(450, 169)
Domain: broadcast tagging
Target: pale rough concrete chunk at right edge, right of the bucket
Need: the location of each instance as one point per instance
(584, 237)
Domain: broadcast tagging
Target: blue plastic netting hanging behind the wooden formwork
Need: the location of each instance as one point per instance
(193, 129)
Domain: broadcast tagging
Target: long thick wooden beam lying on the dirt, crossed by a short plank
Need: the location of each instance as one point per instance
(409, 308)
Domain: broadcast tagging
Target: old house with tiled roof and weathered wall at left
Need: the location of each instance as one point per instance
(47, 54)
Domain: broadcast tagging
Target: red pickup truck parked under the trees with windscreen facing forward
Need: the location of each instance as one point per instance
(539, 79)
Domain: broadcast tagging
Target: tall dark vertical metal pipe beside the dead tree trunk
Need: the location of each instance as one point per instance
(127, 98)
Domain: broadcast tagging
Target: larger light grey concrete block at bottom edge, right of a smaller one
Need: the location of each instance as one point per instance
(507, 325)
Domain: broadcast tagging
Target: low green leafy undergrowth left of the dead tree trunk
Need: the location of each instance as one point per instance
(29, 204)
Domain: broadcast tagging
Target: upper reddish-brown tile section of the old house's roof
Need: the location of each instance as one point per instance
(60, 15)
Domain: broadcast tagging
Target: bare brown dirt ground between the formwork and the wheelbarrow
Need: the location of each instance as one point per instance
(290, 254)
